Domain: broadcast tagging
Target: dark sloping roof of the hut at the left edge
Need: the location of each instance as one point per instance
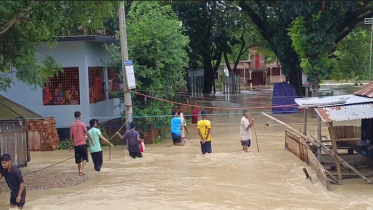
(10, 110)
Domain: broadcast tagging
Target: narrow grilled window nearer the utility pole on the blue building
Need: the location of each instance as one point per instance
(96, 84)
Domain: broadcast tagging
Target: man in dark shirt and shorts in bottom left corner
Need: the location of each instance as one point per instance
(14, 179)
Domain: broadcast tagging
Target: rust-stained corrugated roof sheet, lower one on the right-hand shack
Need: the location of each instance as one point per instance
(345, 113)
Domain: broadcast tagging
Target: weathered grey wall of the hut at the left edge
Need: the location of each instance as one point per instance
(13, 141)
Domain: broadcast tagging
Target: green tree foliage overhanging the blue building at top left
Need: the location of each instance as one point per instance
(25, 24)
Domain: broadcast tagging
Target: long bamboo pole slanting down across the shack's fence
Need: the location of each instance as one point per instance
(323, 147)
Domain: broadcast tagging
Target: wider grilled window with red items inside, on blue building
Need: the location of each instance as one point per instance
(63, 89)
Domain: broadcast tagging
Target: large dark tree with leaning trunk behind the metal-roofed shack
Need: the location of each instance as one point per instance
(274, 18)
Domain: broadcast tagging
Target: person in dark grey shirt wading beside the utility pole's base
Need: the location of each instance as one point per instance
(133, 139)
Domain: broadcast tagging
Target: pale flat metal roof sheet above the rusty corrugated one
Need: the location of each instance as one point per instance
(312, 102)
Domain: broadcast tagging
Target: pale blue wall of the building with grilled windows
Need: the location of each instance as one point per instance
(69, 54)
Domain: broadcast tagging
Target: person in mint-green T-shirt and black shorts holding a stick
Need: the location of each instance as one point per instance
(96, 151)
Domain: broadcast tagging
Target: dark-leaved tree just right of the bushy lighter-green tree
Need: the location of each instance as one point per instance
(201, 20)
